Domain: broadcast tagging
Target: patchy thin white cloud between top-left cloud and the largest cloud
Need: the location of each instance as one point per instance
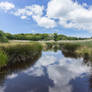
(29, 11)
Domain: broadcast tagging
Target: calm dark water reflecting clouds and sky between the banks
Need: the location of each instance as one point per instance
(50, 72)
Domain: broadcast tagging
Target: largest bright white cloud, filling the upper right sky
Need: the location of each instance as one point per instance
(70, 14)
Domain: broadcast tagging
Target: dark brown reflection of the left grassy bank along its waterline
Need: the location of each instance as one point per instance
(12, 69)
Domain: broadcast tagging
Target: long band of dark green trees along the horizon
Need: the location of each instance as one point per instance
(4, 37)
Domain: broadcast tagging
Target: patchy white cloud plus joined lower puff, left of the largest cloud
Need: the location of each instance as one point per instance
(36, 12)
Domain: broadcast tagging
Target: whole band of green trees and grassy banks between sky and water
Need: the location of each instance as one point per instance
(20, 52)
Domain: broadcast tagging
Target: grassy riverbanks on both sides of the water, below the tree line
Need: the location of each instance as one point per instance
(20, 51)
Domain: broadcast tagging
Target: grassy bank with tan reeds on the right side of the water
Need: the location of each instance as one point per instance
(72, 48)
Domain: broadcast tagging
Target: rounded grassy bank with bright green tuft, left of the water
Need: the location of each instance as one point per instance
(11, 53)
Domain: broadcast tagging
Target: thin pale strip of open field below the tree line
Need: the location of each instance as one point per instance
(84, 42)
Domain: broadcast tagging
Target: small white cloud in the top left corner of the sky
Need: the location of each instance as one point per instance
(6, 6)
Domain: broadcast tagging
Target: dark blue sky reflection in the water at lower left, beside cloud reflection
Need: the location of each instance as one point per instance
(25, 83)
